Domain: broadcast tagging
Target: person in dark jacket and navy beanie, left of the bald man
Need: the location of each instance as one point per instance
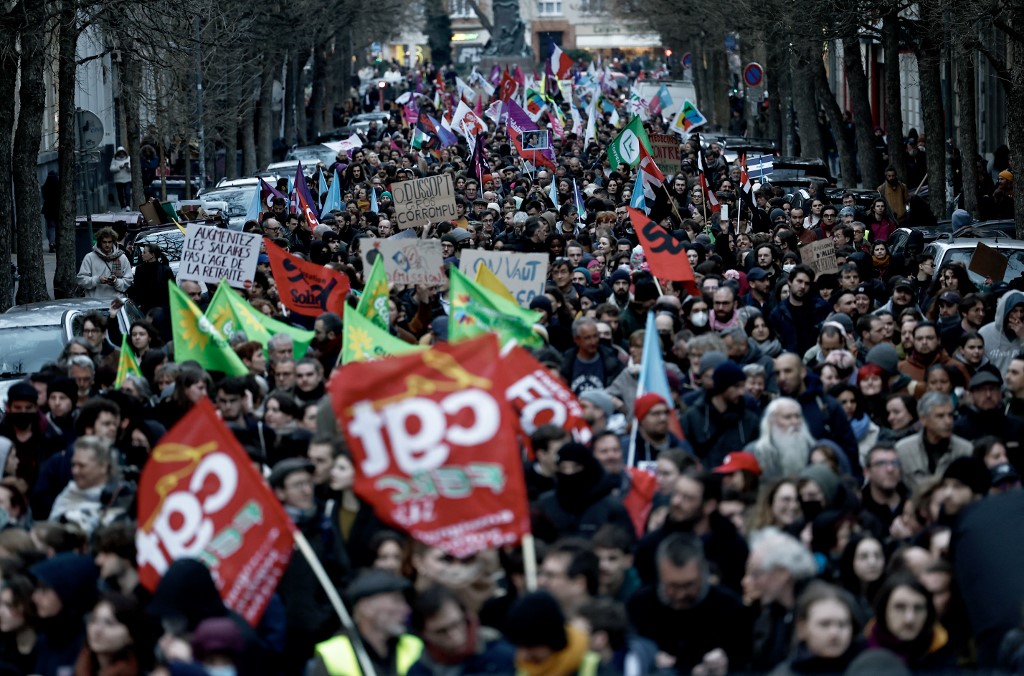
(720, 422)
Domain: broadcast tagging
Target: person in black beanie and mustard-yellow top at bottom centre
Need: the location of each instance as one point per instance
(546, 645)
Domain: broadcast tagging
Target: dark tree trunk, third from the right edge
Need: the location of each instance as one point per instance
(930, 73)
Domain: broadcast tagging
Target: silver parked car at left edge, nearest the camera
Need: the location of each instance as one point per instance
(33, 335)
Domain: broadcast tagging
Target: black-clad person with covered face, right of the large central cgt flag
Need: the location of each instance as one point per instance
(582, 501)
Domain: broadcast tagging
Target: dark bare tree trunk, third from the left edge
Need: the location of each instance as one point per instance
(65, 281)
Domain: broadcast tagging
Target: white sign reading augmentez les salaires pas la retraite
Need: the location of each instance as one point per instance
(210, 255)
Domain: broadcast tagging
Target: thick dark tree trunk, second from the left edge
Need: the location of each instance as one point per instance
(28, 138)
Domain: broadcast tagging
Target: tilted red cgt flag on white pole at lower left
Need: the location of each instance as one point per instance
(200, 497)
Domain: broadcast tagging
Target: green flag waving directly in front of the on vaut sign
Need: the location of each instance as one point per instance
(477, 311)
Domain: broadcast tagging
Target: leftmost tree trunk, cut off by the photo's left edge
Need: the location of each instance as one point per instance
(9, 76)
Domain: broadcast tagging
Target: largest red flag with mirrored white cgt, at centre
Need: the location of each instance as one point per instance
(434, 443)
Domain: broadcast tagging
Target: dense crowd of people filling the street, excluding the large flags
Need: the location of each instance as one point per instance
(835, 487)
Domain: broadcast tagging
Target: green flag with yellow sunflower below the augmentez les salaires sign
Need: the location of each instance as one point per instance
(196, 339)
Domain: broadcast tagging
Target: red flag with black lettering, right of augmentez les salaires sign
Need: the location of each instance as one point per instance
(306, 288)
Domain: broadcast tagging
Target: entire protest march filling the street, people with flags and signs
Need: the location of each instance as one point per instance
(532, 379)
